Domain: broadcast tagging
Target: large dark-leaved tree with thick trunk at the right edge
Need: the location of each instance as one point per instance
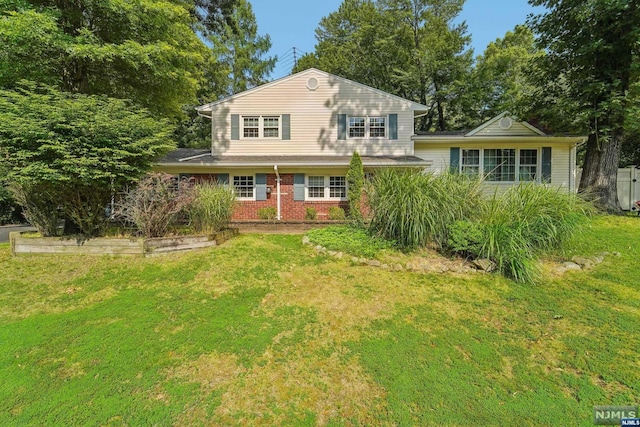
(590, 49)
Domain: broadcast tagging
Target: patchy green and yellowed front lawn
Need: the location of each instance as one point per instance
(265, 331)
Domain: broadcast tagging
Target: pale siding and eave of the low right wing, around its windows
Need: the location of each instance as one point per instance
(562, 160)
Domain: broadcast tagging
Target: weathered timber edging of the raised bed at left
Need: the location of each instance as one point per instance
(135, 246)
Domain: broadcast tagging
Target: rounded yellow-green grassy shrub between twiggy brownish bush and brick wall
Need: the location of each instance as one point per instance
(211, 208)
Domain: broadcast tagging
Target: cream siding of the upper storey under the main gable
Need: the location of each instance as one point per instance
(314, 113)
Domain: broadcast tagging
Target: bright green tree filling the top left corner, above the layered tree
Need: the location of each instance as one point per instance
(144, 50)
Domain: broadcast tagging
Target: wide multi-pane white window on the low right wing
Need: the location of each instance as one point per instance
(501, 164)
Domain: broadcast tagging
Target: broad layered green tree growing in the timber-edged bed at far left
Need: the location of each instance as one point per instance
(75, 150)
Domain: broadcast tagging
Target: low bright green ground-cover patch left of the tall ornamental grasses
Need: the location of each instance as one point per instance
(353, 240)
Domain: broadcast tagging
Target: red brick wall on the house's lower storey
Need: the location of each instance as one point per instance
(289, 209)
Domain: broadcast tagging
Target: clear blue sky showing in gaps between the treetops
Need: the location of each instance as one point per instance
(292, 23)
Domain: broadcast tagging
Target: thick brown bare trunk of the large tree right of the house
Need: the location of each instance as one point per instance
(600, 172)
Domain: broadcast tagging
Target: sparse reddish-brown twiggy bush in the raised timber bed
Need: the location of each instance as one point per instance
(154, 204)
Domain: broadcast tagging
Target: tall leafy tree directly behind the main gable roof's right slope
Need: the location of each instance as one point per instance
(410, 48)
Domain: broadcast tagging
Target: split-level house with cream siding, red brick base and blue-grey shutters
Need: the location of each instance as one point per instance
(287, 144)
